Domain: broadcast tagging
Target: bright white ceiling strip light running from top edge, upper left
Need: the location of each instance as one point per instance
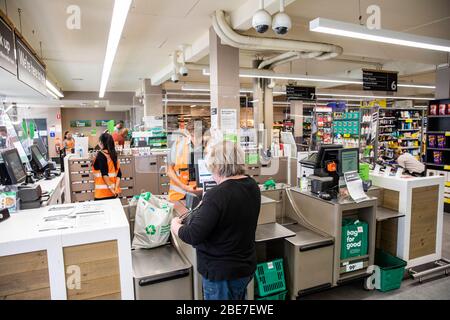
(119, 17)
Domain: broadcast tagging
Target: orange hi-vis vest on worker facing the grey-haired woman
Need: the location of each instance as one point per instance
(182, 158)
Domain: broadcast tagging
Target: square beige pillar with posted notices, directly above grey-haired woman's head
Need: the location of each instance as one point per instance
(225, 84)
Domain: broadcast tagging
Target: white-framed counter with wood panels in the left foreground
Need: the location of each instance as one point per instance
(67, 252)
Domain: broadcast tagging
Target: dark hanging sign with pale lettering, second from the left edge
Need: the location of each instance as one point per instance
(29, 69)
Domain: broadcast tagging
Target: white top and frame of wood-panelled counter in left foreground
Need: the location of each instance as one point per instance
(20, 234)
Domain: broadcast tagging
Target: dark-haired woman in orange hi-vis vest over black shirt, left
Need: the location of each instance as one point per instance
(106, 170)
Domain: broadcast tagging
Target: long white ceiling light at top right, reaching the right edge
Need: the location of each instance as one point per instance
(387, 36)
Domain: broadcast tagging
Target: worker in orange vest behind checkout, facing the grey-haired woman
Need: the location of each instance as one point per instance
(181, 161)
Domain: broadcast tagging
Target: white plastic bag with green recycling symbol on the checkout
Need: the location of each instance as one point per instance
(152, 224)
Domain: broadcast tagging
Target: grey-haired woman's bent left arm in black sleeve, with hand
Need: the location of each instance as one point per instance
(202, 224)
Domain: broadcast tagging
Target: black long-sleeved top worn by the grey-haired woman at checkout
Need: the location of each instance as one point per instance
(223, 230)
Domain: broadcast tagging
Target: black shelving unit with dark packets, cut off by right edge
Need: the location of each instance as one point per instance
(438, 143)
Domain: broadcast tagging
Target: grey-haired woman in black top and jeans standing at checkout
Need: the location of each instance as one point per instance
(223, 228)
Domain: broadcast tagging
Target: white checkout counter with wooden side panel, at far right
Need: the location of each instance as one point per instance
(416, 235)
